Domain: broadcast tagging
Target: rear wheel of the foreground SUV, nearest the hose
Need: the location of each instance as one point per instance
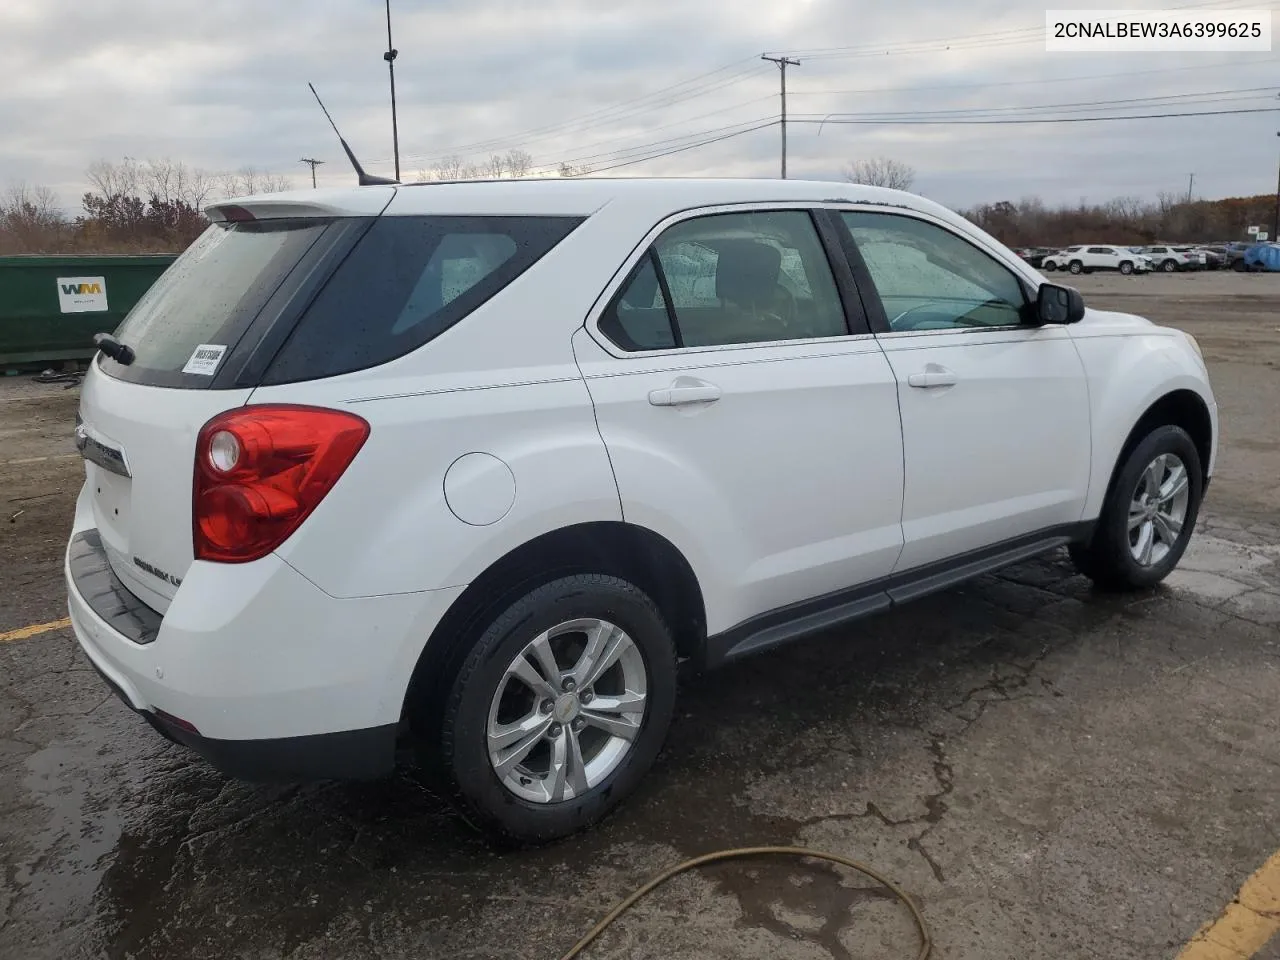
(559, 710)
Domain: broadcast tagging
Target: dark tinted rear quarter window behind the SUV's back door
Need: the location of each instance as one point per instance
(408, 281)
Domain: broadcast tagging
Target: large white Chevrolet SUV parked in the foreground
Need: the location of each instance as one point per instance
(467, 469)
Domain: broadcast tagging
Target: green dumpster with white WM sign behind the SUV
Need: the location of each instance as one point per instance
(52, 307)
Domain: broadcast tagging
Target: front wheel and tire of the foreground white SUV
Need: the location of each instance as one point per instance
(1149, 515)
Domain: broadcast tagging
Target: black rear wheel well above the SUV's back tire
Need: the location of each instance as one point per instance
(625, 551)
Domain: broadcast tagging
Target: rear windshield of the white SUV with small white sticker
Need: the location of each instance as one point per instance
(209, 298)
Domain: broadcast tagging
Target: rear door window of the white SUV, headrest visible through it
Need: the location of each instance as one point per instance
(725, 280)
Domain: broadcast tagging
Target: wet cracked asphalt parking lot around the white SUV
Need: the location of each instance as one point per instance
(1049, 771)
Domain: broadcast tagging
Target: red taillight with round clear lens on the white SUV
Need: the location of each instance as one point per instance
(262, 470)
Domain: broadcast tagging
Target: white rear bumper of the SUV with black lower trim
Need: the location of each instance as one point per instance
(271, 676)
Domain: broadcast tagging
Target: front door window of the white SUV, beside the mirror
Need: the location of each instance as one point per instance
(931, 280)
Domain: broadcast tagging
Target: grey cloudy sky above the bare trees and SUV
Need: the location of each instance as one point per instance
(222, 85)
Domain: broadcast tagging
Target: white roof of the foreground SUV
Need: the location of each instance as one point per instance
(569, 196)
